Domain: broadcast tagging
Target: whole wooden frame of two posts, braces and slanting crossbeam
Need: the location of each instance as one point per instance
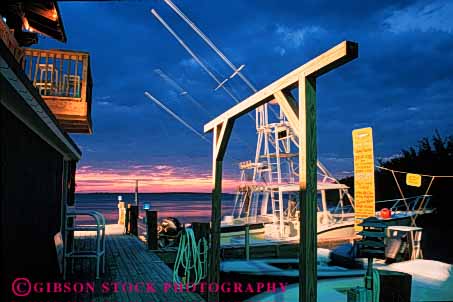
(301, 116)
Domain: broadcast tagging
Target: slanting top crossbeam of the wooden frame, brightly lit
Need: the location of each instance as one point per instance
(334, 57)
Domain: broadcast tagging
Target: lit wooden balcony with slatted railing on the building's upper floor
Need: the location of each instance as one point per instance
(63, 78)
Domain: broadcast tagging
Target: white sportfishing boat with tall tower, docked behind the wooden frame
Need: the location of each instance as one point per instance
(267, 200)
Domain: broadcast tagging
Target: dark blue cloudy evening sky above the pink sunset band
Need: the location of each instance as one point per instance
(401, 84)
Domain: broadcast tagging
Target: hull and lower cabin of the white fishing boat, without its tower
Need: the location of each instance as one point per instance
(332, 222)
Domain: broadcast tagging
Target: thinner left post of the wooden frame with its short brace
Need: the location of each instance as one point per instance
(222, 133)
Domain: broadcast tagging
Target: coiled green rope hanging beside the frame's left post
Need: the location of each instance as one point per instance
(189, 257)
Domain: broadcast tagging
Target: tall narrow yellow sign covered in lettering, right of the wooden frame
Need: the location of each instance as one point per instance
(364, 199)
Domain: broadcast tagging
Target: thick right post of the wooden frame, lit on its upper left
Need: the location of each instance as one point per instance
(307, 189)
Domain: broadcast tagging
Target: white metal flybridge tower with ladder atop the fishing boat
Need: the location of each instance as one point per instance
(273, 174)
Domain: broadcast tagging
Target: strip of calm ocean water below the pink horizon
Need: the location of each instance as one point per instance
(186, 207)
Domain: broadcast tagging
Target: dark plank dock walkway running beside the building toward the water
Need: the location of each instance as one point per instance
(128, 261)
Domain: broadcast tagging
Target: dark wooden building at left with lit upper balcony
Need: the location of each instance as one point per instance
(43, 96)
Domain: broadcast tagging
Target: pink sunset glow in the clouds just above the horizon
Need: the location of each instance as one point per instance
(152, 179)
